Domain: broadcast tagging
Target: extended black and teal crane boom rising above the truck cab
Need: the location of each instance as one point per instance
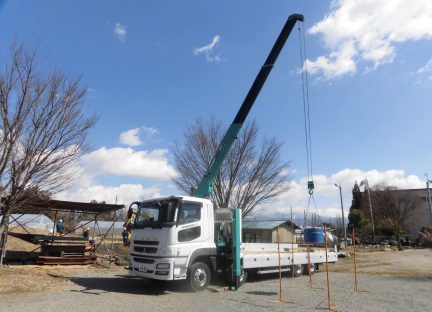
(205, 187)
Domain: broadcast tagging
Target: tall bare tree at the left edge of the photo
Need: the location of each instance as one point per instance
(43, 131)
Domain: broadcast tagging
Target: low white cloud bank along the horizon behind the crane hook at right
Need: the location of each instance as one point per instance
(327, 195)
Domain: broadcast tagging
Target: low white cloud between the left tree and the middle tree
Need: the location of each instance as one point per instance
(128, 162)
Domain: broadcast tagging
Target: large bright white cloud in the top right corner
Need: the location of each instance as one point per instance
(368, 30)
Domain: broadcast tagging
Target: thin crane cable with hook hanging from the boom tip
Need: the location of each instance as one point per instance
(307, 122)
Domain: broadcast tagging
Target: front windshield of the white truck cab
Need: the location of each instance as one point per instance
(156, 214)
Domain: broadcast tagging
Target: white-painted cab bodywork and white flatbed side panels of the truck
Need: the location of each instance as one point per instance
(168, 252)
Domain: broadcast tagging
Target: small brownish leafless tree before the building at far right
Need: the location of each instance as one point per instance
(394, 208)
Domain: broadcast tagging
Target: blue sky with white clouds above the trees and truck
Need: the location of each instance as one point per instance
(154, 66)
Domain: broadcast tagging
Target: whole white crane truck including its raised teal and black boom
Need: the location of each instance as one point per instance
(186, 237)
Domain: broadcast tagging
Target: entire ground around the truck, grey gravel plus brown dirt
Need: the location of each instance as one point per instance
(388, 281)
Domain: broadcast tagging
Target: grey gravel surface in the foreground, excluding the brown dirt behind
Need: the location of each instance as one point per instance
(102, 291)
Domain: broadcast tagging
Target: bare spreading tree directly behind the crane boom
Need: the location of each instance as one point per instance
(249, 177)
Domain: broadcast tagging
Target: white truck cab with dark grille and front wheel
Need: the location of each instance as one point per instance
(171, 234)
